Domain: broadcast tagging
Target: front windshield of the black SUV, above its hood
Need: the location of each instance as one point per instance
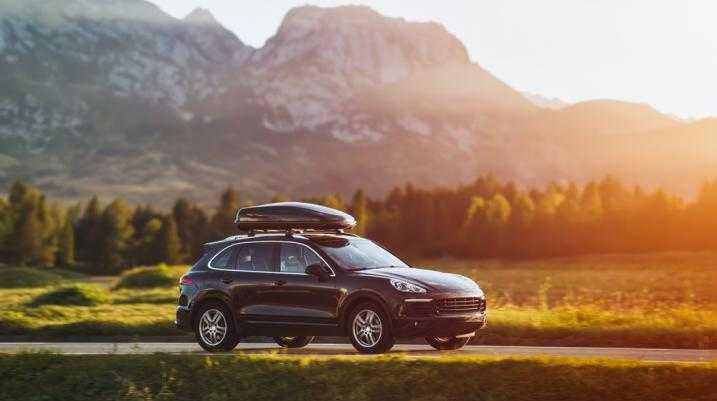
(359, 254)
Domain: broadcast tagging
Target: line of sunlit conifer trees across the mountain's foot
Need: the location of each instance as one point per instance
(484, 219)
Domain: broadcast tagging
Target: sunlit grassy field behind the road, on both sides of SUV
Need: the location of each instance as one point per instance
(653, 300)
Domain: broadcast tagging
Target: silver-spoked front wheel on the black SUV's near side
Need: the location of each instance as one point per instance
(378, 337)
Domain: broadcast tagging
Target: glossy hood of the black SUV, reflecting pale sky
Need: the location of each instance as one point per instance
(430, 279)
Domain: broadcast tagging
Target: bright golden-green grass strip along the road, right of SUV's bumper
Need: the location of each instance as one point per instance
(588, 326)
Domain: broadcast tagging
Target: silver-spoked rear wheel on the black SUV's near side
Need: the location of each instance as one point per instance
(207, 327)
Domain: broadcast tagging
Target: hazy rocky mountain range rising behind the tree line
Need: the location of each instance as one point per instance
(117, 98)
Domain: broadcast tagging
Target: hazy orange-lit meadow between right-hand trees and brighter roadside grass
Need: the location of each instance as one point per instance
(616, 282)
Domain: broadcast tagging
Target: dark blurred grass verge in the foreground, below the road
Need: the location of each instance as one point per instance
(393, 378)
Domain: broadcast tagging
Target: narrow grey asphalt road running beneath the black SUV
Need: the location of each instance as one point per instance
(642, 354)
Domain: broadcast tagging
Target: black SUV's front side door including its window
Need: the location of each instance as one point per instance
(299, 300)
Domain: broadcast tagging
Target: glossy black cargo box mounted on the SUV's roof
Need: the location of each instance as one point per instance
(292, 215)
